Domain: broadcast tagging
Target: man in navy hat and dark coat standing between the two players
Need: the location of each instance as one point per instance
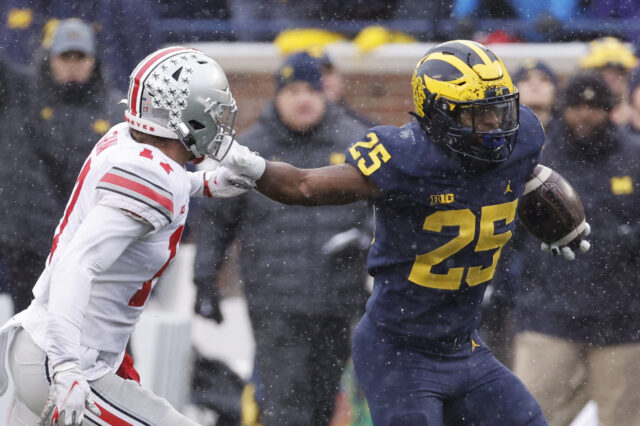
(303, 271)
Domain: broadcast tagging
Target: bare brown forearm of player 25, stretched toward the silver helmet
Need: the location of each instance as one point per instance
(326, 185)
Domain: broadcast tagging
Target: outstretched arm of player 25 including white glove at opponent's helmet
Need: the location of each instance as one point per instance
(339, 184)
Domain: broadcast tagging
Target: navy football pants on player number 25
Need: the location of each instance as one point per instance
(407, 385)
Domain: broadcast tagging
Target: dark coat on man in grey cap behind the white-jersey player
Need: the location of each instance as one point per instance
(48, 137)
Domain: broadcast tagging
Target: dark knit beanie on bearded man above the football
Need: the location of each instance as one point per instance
(588, 88)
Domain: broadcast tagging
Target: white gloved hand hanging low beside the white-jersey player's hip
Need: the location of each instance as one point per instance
(69, 396)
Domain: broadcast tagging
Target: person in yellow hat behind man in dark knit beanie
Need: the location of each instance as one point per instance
(614, 60)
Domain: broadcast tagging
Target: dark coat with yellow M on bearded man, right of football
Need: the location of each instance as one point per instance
(592, 299)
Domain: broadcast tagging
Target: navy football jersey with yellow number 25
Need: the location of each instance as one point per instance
(439, 231)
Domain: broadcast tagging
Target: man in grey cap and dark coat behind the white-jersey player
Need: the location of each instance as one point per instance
(68, 105)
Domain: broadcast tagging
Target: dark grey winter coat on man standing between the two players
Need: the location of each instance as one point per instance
(283, 264)
